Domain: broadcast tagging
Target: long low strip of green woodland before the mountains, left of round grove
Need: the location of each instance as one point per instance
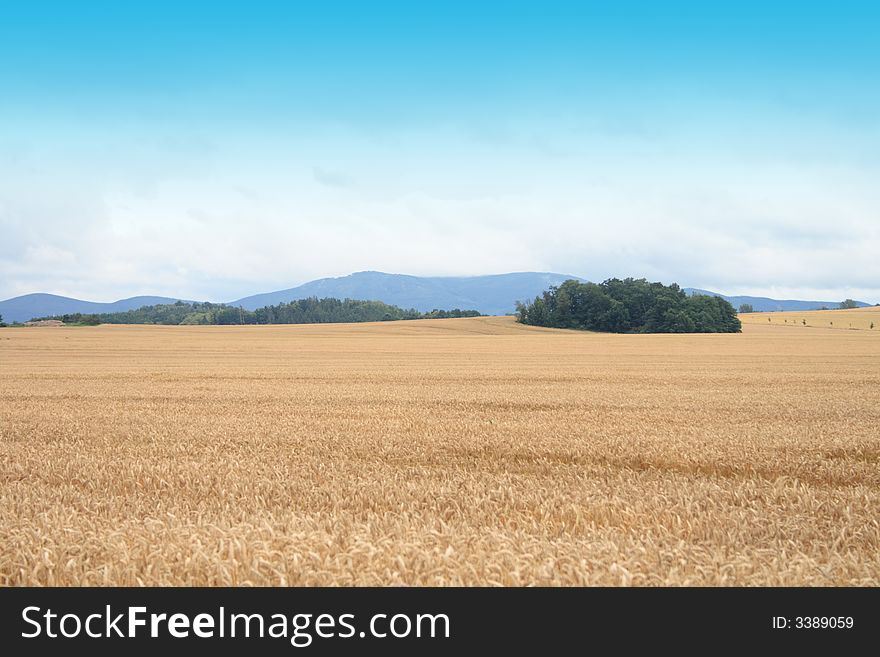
(302, 311)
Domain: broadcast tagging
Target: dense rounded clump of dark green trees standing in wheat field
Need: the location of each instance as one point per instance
(629, 306)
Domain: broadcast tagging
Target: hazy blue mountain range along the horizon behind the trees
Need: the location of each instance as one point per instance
(492, 295)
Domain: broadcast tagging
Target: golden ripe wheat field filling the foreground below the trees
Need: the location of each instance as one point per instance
(438, 452)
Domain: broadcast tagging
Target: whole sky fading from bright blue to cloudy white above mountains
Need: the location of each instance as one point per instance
(210, 150)
